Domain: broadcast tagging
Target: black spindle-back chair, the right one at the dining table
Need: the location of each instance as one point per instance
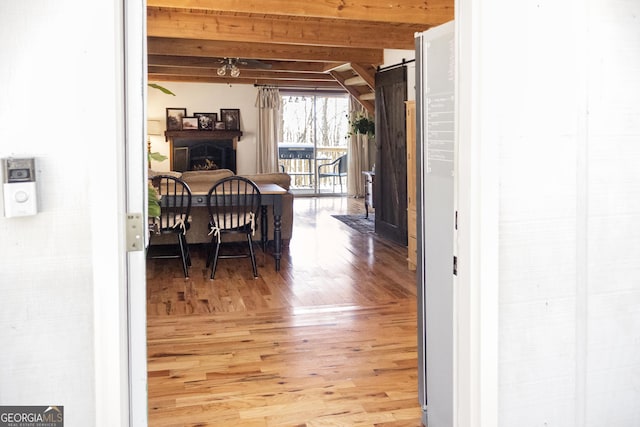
(234, 206)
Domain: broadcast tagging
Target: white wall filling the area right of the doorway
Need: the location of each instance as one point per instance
(556, 99)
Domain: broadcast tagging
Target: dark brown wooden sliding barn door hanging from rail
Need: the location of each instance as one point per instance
(391, 158)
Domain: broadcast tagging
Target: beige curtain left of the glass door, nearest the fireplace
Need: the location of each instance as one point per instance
(269, 103)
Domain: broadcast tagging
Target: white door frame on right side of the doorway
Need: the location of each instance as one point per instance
(477, 239)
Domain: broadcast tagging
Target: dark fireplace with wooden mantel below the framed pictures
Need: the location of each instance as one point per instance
(203, 150)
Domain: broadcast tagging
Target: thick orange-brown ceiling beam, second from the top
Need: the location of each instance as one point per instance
(248, 28)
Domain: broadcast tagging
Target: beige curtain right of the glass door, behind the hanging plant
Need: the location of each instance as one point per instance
(358, 150)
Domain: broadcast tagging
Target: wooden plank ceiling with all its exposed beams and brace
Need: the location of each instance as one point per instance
(307, 44)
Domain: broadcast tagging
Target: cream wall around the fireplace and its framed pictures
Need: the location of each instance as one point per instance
(208, 98)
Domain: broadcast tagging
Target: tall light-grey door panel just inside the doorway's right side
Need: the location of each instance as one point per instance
(436, 136)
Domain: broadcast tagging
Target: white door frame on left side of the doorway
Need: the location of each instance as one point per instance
(119, 284)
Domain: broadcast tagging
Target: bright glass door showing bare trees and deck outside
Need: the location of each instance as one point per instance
(314, 131)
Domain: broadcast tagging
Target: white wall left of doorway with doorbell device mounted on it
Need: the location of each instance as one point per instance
(60, 103)
